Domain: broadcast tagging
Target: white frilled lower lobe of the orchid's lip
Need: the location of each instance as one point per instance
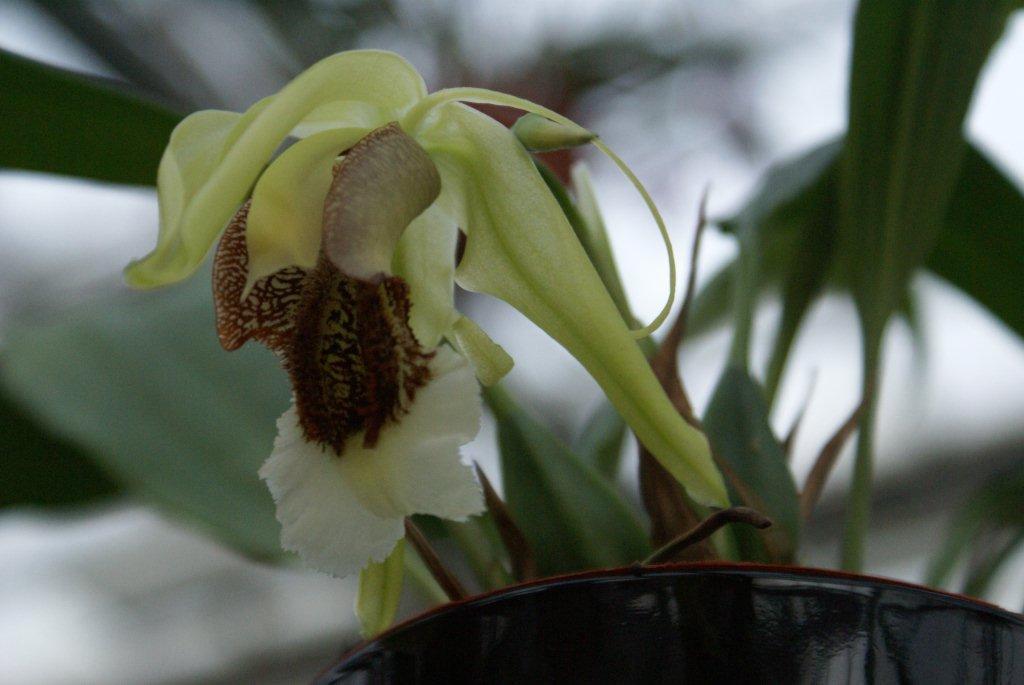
(339, 513)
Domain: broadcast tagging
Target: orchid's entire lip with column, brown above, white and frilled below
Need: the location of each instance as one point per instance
(378, 416)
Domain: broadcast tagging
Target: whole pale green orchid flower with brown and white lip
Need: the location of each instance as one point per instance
(339, 254)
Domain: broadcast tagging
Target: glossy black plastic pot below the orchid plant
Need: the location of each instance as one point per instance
(698, 624)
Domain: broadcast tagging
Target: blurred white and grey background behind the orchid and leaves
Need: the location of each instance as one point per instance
(117, 593)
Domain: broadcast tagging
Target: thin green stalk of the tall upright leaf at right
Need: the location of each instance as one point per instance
(860, 502)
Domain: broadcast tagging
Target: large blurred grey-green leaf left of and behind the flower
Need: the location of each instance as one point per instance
(143, 384)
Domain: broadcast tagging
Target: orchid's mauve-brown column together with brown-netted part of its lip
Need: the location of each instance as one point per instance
(343, 328)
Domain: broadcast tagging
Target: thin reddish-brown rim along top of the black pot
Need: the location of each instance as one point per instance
(638, 571)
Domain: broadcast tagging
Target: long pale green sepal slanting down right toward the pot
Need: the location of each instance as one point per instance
(522, 249)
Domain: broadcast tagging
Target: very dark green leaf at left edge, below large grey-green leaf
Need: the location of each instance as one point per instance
(44, 470)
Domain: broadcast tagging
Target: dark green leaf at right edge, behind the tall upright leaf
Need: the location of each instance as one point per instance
(982, 247)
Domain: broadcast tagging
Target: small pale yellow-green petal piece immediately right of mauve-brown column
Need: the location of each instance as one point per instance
(425, 260)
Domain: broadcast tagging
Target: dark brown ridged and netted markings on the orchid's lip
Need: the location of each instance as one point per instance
(355, 363)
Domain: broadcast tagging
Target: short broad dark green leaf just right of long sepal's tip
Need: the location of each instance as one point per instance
(755, 464)
